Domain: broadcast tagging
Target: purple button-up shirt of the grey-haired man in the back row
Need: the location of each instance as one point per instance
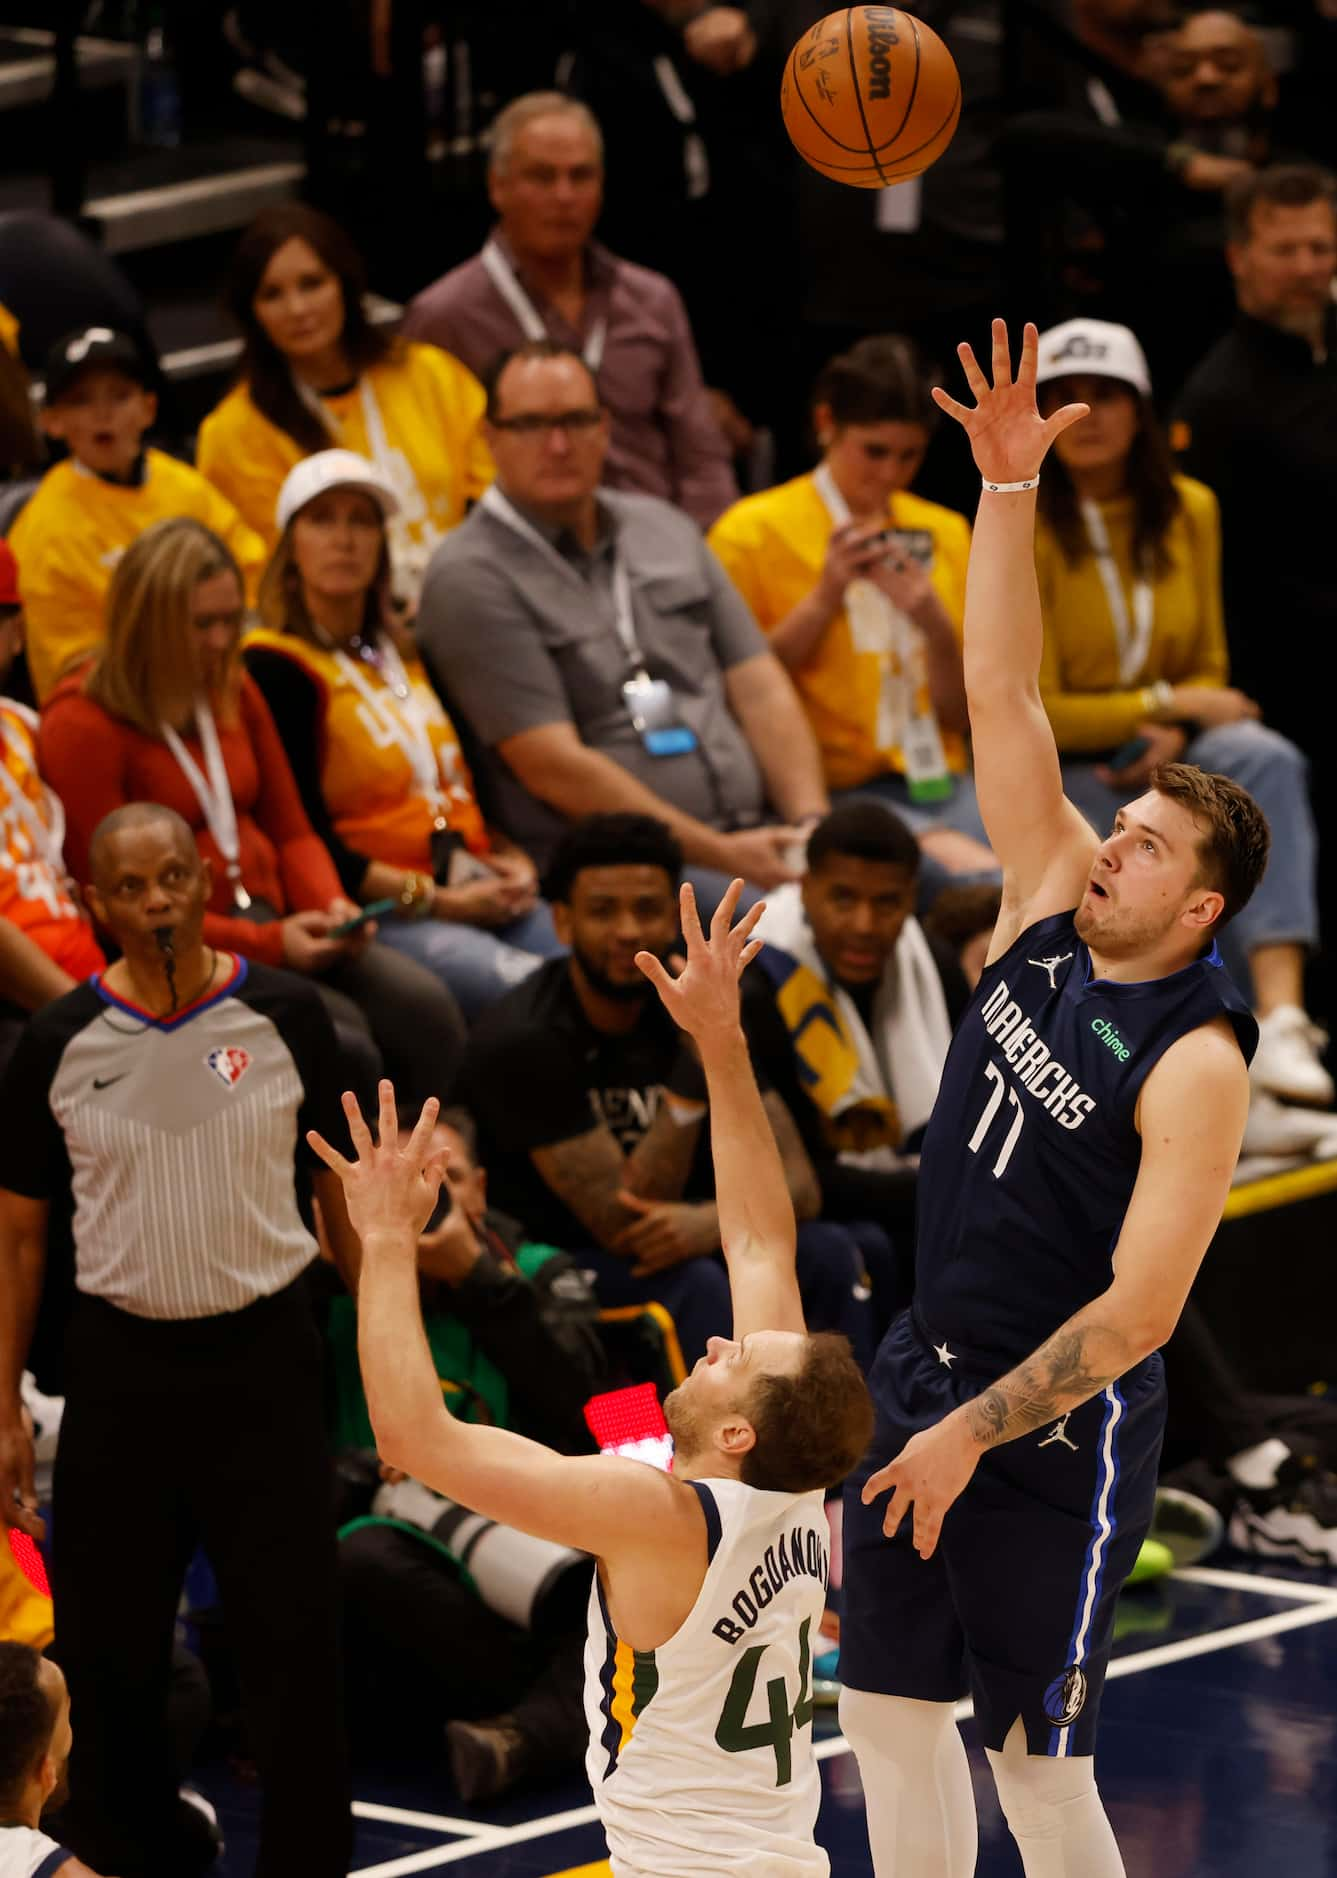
(666, 440)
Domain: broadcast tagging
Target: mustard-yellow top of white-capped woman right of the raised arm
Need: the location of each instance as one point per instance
(1088, 703)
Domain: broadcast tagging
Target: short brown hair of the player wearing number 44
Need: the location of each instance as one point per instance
(810, 1426)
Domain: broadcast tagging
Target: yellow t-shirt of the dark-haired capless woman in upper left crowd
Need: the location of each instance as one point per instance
(431, 408)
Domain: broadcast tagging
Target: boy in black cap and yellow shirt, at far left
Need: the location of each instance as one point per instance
(87, 512)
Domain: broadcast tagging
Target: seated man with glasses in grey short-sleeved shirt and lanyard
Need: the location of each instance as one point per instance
(602, 658)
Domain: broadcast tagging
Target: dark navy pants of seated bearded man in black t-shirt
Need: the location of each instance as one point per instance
(696, 1295)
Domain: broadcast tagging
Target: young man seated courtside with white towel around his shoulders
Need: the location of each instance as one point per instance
(850, 1013)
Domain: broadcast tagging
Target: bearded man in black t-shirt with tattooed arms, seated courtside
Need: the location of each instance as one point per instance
(591, 1105)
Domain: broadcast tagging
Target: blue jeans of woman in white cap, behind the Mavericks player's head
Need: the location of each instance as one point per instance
(1274, 771)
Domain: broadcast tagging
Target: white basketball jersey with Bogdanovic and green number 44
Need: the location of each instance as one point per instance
(701, 1751)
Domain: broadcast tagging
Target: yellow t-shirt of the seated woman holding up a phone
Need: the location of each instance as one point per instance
(775, 547)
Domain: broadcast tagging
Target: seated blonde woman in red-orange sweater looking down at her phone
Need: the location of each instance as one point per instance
(166, 713)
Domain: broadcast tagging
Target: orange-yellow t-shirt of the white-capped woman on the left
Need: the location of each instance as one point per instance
(367, 778)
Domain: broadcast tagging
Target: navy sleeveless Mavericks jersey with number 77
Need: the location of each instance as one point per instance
(1032, 1156)
